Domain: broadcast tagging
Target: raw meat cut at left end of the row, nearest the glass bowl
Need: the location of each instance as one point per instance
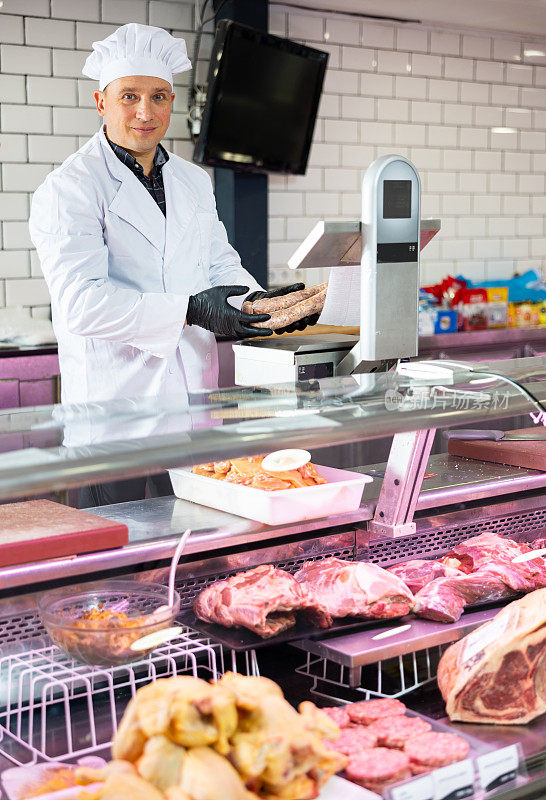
(263, 599)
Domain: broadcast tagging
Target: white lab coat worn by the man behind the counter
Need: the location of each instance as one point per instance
(120, 275)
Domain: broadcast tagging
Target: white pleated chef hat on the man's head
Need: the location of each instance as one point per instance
(136, 49)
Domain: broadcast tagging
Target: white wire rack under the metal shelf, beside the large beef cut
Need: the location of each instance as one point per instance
(393, 677)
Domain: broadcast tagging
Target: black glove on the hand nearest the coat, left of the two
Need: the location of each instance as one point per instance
(209, 309)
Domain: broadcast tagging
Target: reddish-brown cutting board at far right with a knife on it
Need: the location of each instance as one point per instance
(530, 454)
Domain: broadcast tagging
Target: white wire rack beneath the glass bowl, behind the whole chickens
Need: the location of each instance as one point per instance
(54, 708)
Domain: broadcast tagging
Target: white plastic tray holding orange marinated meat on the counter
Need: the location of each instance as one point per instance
(341, 493)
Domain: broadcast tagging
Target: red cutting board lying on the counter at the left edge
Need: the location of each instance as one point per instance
(40, 529)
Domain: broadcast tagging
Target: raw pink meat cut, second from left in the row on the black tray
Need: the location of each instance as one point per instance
(353, 589)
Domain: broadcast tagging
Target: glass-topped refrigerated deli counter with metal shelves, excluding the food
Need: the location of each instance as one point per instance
(415, 506)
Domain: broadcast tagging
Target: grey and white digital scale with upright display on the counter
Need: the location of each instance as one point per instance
(386, 243)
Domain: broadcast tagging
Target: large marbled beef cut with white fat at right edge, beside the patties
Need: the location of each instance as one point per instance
(497, 674)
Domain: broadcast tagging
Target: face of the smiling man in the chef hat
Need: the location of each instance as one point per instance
(137, 112)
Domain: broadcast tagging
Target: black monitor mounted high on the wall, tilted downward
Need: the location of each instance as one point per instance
(262, 100)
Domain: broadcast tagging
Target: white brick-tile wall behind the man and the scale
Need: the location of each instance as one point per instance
(432, 95)
